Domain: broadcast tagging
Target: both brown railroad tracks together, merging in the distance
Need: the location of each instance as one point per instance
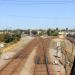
(42, 65)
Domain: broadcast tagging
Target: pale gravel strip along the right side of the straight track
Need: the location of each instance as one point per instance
(55, 69)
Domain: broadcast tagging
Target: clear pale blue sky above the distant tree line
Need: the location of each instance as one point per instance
(37, 14)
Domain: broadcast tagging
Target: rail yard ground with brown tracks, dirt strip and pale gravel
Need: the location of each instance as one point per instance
(41, 56)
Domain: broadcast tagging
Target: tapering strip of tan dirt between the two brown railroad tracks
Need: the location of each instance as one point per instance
(28, 68)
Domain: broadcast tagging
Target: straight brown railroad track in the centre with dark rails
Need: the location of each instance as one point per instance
(41, 61)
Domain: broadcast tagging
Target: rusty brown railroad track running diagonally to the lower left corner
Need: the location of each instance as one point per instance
(14, 67)
